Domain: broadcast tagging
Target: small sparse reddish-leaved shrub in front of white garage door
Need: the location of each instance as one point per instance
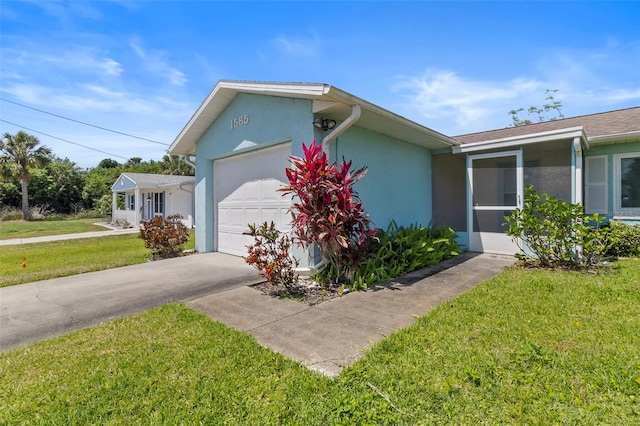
(270, 254)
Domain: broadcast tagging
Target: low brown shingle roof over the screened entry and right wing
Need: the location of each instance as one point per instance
(601, 124)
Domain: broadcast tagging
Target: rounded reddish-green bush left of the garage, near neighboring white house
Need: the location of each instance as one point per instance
(164, 236)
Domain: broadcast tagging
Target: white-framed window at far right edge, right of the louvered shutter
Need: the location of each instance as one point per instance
(626, 190)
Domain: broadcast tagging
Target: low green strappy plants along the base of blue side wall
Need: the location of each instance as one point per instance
(400, 250)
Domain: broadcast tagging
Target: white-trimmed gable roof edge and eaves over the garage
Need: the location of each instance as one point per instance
(328, 100)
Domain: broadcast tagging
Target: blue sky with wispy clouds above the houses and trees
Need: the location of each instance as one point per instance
(143, 67)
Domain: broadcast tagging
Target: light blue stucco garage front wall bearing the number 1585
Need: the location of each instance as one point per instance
(269, 119)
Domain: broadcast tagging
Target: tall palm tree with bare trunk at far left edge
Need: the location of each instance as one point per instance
(17, 153)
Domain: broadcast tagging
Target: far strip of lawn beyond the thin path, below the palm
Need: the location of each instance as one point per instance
(40, 228)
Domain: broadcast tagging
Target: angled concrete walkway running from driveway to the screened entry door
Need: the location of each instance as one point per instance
(332, 335)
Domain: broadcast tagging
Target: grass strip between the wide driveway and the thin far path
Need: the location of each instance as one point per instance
(69, 257)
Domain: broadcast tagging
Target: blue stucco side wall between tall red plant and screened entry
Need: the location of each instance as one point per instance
(398, 182)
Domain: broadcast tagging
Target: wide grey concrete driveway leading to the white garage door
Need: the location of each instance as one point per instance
(43, 309)
